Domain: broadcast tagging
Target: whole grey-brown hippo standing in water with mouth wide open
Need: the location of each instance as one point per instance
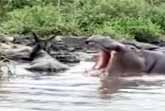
(118, 59)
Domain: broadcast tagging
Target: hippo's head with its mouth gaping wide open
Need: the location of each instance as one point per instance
(114, 56)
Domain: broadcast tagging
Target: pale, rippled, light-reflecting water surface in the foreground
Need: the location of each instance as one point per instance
(74, 91)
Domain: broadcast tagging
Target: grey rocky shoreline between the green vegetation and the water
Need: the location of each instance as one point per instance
(55, 55)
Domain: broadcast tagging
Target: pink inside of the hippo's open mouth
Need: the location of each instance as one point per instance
(102, 60)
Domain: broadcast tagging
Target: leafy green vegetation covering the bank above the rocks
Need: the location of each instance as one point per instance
(119, 18)
